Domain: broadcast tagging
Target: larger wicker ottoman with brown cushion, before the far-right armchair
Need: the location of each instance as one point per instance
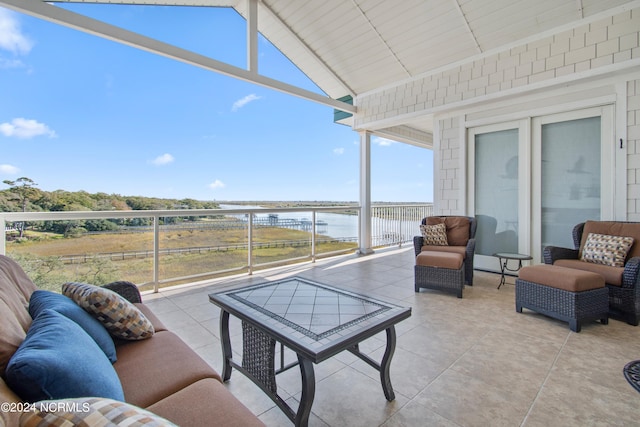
(567, 294)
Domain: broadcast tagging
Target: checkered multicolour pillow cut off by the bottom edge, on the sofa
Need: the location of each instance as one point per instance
(90, 411)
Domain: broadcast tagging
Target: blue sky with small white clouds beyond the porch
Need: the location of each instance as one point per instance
(78, 112)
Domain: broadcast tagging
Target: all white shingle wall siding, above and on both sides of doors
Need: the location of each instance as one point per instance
(593, 50)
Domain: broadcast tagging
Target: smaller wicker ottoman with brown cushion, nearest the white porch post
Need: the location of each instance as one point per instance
(440, 270)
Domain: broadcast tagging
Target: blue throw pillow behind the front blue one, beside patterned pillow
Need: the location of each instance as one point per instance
(41, 300)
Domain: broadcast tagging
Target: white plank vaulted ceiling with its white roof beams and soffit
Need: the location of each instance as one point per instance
(353, 48)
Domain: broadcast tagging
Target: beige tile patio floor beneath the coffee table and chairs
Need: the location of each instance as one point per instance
(458, 362)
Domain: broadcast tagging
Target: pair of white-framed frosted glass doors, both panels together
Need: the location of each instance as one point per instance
(531, 181)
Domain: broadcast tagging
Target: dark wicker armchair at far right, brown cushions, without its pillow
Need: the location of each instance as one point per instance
(623, 282)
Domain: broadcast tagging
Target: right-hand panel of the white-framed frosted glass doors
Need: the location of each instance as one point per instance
(573, 169)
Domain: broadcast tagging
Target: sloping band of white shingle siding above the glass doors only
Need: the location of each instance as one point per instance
(597, 48)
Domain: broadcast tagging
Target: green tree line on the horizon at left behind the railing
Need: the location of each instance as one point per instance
(22, 195)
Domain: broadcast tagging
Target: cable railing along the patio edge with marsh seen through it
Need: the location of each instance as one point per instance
(165, 247)
